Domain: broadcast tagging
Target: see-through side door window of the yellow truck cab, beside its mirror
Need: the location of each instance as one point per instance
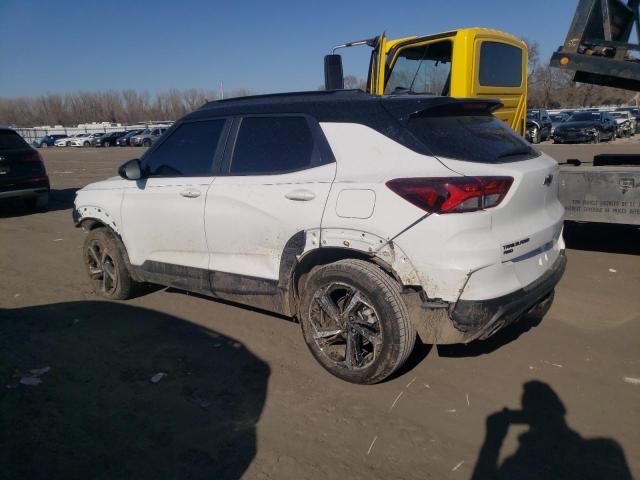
(424, 69)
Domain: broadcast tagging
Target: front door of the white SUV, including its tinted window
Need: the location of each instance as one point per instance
(163, 214)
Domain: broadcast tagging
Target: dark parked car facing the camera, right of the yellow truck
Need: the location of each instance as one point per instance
(586, 127)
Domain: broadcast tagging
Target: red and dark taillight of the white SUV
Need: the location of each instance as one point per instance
(452, 194)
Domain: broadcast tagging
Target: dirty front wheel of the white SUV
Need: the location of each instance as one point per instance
(105, 265)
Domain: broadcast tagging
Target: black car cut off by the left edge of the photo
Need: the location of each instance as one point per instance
(22, 171)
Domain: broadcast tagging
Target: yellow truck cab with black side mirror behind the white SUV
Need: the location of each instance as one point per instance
(470, 62)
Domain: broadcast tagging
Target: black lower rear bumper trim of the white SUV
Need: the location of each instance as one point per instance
(479, 319)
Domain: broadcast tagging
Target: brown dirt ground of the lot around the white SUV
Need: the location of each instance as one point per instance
(243, 397)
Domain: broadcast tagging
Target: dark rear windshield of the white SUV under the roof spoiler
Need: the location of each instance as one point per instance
(482, 139)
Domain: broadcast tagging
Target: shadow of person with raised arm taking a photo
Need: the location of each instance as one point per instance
(549, 449)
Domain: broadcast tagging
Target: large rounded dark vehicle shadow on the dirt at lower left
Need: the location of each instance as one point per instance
(121, 392)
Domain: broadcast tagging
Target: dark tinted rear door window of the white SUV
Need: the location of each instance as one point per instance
(272, 145)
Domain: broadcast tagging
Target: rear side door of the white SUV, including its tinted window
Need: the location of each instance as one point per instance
(274, 188)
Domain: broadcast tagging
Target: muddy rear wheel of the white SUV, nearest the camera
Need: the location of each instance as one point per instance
(355, 321)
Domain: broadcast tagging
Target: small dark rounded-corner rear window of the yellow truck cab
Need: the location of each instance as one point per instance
(500, 65)
